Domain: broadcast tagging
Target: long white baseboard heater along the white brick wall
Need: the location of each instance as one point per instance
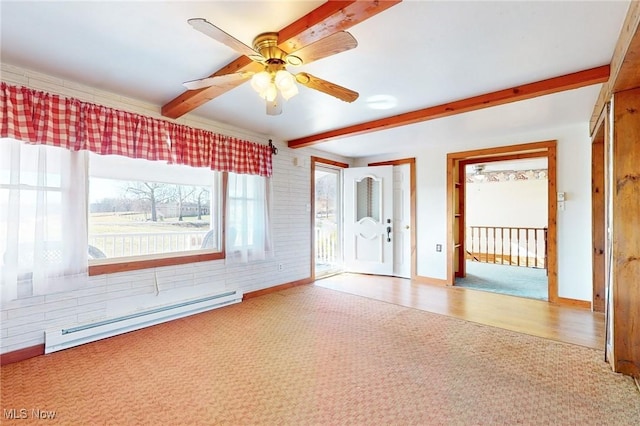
(58, 339)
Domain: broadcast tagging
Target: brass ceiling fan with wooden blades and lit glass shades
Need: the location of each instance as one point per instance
(275, 84)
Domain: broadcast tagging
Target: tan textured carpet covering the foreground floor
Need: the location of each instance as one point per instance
(314, 356)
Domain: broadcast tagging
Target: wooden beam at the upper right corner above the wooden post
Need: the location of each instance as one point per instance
(625, 63)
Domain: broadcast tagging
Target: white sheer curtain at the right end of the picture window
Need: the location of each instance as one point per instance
(248, 218)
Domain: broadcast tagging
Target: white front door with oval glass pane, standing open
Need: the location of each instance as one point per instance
(368, 220)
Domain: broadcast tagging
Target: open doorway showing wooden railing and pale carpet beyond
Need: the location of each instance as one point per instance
(505, 227)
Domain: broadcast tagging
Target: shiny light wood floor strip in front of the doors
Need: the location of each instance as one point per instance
(538, 318)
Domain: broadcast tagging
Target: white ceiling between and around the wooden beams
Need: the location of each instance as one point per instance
(421, 53)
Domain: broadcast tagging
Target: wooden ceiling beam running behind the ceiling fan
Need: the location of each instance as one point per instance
(327, 19)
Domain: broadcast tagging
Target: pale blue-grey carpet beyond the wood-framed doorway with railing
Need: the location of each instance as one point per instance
(506, 279)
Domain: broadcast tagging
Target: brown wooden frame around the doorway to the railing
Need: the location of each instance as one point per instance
(455, 204)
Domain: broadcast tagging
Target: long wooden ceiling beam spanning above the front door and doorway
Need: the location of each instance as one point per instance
(514, 94)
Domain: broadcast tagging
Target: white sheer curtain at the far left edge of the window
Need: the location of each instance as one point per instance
(43, 219)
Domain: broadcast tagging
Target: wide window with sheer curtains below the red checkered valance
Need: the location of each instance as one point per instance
(64, 214)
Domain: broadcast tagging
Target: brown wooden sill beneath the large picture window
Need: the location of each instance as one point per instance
(122, 264)
